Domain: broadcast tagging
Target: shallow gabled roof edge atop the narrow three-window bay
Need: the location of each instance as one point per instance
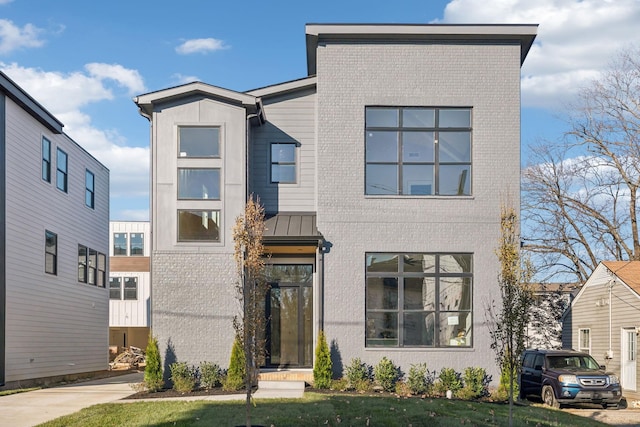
(148, 102)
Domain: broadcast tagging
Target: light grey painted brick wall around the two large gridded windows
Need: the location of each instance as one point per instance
(352, 76)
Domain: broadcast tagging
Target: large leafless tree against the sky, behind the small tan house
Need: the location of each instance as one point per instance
(580, 194)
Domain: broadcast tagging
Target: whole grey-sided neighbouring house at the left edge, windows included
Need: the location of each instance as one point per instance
(54, 240)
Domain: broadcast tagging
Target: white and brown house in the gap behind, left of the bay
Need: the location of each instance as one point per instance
(129, 284)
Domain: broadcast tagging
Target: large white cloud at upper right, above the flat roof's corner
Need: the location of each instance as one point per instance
(576, 39)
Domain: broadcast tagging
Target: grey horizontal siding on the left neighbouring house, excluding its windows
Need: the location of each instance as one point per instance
(55, 325)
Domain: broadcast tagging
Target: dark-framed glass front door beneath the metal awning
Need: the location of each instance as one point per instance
(290, 315)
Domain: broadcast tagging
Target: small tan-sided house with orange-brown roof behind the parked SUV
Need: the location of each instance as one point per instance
(604, 321)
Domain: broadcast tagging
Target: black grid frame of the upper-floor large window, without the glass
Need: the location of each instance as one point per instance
(437, 164)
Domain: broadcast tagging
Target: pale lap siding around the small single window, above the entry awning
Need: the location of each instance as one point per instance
(290, 119)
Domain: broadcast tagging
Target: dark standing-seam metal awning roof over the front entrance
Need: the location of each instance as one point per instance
(291, 228)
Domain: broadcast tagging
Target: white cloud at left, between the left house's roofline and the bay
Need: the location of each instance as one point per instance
(64, 95)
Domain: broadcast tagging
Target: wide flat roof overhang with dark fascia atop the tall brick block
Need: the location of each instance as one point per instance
(524, 34)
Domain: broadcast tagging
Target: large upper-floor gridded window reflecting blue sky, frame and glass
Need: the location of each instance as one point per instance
(418, 151)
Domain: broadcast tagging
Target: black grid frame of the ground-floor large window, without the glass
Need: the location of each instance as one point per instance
(403, 311)
